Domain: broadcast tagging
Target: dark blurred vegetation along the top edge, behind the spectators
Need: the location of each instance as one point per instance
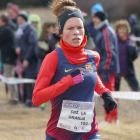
(115, 9)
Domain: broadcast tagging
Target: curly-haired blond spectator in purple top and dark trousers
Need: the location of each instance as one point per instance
(128, 52)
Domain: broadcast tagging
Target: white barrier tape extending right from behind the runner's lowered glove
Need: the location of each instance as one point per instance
(125, 95)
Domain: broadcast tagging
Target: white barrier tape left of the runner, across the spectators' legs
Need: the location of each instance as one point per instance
(13, 81)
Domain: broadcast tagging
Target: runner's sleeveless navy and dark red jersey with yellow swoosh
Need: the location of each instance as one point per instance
(80, 92)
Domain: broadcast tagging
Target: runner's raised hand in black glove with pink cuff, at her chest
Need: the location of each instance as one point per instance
(78, 75)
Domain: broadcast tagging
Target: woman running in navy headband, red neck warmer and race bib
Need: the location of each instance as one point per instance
(68, 78)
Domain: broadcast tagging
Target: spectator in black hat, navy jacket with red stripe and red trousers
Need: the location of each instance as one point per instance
(106, 46)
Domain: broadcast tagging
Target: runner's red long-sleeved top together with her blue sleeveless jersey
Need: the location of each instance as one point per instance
(54, 83)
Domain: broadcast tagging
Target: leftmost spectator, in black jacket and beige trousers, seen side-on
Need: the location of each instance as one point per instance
(8, 55)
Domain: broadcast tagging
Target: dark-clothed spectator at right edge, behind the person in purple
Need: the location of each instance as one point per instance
(135, 29)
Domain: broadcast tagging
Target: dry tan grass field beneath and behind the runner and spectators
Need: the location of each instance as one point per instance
(20, 123)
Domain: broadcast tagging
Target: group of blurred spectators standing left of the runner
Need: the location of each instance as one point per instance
(24, 42)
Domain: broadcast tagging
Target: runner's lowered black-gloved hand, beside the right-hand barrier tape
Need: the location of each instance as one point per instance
(109, 102)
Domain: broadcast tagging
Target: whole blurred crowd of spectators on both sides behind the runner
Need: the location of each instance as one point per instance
(25, 41)
